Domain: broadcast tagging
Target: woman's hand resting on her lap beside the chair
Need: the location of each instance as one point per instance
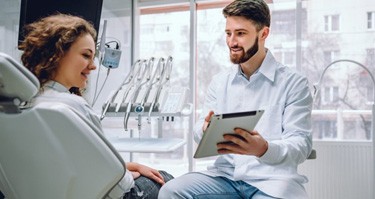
(139, 169)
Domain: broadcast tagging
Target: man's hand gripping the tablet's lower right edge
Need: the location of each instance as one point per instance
(244, 143)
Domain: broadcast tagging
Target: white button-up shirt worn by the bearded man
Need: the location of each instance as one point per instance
(286, 124)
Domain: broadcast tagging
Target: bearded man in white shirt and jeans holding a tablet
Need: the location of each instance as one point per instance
(263, 163)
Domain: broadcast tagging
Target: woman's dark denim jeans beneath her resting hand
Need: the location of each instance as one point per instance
(146, 188)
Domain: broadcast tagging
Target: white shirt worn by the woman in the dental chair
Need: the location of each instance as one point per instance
(55, 92)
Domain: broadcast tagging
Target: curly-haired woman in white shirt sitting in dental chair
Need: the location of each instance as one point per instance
(59, 50)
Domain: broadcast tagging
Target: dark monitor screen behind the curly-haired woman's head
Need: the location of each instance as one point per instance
(32, 10)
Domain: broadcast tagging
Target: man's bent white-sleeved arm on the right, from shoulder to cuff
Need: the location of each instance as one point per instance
(296, 139)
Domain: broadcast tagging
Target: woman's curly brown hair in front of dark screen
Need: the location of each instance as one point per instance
(48, 39)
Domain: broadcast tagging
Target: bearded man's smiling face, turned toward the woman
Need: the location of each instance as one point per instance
(242, 39)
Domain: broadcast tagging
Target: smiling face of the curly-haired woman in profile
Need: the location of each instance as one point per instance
(76, 64)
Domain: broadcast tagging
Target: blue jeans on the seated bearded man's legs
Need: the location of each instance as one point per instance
(201, 186)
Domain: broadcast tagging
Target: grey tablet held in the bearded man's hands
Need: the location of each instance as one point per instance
(225, 124)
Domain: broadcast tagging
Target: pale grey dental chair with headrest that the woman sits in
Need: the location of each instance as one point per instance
(49, 150)
